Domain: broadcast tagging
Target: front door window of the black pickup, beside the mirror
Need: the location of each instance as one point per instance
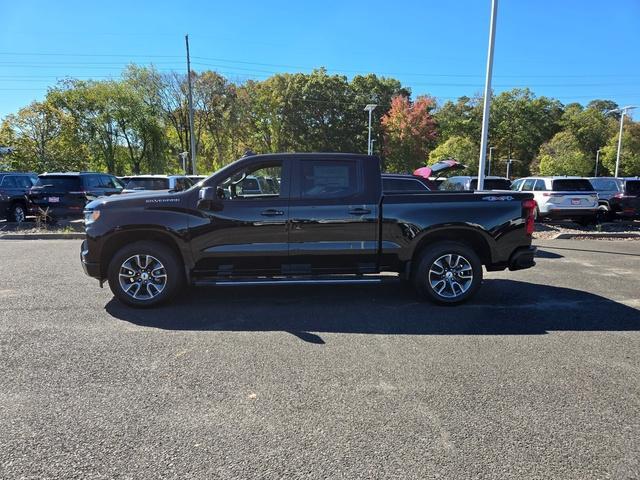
(253, 184)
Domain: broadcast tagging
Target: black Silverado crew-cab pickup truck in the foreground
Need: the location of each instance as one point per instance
(325, 221)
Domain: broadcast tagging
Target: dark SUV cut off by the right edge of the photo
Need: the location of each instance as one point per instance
(618, 197)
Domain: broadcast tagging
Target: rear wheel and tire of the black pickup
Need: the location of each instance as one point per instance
(425, 273)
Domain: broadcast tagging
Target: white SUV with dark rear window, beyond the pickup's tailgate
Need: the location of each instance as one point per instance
(561, 198)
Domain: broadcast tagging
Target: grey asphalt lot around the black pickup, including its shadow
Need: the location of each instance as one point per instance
(537, 377)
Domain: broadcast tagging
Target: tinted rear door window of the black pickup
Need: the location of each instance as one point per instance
(328, 179)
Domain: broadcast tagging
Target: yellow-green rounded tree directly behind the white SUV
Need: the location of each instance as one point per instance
(562, 155)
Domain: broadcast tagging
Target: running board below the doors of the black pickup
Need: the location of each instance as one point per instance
(342, 280)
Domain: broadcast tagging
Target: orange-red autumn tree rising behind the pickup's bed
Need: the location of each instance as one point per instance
(409, 133)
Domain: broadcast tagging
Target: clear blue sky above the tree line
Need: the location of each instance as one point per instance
(568, 49)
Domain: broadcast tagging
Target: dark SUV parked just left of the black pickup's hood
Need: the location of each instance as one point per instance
(66, 194)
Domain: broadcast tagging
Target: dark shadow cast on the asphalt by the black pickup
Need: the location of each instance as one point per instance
(501, 307)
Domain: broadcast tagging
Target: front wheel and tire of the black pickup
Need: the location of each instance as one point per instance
(149, 291)
